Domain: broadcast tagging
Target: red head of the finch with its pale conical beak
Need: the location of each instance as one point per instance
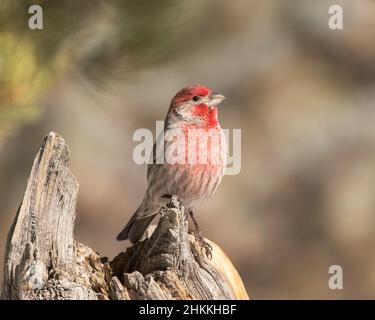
(195, 105)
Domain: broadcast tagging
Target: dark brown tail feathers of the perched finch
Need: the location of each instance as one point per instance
(138, 223)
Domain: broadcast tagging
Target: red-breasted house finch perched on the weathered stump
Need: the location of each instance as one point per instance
(192, 169)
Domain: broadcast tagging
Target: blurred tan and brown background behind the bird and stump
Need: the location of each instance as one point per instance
(303, 95)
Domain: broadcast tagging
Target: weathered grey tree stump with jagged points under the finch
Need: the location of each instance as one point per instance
(43, 261)
